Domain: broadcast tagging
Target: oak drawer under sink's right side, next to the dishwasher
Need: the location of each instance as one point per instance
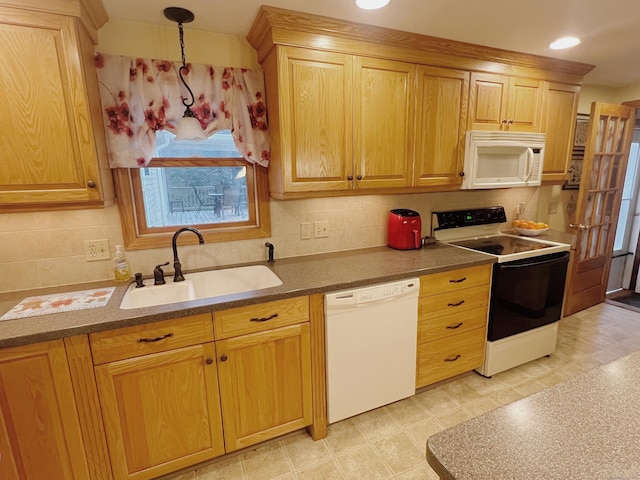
(261, 317)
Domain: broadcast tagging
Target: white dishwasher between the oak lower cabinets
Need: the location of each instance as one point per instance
(371, 336)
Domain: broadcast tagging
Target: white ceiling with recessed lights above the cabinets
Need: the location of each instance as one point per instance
(610, 29)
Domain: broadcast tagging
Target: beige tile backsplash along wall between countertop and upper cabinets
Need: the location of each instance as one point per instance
(46, 249)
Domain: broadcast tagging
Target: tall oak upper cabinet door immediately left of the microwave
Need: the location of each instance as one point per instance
(441, 126)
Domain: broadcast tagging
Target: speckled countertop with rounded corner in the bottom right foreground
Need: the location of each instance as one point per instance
(585, 428)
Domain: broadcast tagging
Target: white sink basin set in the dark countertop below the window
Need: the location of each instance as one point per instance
(196, 286)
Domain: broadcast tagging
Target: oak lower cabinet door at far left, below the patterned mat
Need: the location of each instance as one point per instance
(39, 429)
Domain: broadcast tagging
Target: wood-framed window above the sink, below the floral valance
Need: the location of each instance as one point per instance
(207, 185)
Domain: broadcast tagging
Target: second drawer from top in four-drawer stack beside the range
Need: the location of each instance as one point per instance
(450, 303)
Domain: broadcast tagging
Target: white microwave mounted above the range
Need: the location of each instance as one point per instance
(503, 159)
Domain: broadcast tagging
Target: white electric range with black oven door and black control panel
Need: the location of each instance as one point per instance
(527, 285)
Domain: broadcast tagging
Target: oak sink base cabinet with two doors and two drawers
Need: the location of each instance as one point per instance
(167, 388)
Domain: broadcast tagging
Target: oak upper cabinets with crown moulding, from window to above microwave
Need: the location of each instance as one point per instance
(355, 108)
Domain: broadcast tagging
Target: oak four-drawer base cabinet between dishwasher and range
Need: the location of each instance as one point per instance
(452, 320)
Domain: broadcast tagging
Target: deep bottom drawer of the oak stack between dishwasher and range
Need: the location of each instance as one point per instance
(451, 356)
